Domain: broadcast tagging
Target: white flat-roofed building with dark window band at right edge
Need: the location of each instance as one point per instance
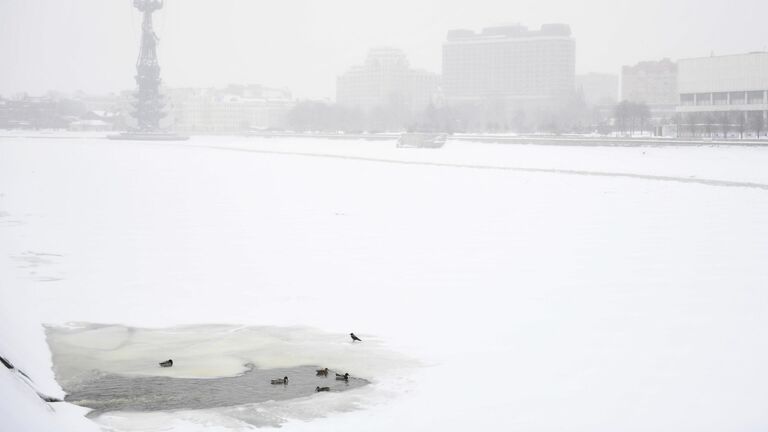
(730, 83)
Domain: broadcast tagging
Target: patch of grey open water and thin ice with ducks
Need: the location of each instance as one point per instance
(219, 370)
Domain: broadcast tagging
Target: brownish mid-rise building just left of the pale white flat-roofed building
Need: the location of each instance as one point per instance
(653, 83)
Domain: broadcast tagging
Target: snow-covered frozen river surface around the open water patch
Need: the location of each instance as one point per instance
(497, 287)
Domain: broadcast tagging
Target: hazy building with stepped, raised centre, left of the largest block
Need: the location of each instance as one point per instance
(386, 80)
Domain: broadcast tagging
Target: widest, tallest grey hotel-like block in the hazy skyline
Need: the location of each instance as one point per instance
(509, 66)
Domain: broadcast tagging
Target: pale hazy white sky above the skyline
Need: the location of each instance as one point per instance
(91, 45)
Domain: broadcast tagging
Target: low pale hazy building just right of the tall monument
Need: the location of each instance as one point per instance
(236, 108)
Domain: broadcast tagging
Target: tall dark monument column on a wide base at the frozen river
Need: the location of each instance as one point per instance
(149, 102)
